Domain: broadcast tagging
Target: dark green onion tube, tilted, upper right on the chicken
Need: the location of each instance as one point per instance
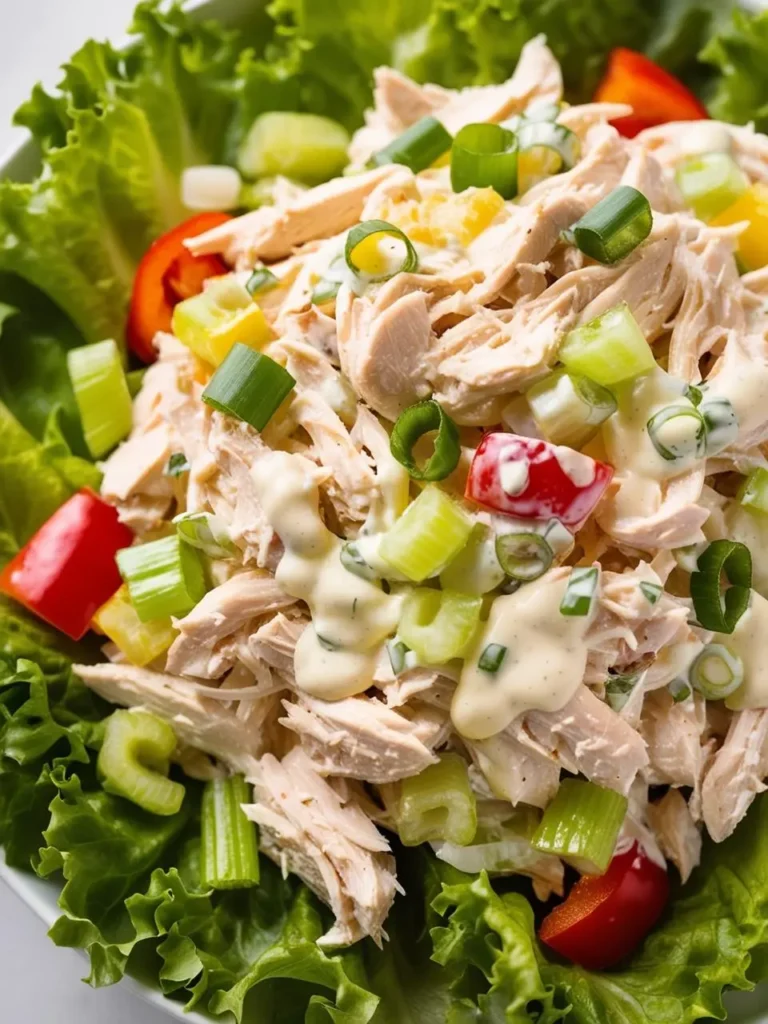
(611, 231)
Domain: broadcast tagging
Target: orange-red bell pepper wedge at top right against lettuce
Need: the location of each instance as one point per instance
(656, 96)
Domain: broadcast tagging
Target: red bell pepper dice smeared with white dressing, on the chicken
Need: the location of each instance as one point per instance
(553, 482)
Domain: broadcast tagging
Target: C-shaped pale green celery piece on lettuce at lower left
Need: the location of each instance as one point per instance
(135, 761)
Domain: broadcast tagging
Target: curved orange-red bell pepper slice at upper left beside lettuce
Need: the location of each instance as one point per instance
(168, 273)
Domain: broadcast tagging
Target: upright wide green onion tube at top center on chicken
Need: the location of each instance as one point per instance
(485, 156)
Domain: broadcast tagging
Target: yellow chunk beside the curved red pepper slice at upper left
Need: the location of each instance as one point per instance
(210, 324)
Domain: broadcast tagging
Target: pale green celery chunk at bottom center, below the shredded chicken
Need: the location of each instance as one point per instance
(438, 804)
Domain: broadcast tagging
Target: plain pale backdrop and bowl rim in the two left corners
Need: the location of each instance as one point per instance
(40, 984)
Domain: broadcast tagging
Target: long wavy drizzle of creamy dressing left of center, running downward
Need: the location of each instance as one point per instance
(336, 655)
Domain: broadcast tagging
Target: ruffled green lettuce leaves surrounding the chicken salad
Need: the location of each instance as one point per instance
(114, 141)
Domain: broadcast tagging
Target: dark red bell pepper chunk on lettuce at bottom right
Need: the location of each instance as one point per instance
(607, 917)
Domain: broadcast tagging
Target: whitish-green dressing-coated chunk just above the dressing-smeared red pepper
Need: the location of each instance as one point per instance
(569, 408)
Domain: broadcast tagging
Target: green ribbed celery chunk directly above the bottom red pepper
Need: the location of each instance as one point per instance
(582, 826)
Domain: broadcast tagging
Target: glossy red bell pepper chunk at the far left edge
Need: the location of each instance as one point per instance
(68, 571)
